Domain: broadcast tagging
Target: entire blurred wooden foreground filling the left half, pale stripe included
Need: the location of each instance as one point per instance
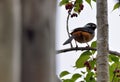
(33, 58)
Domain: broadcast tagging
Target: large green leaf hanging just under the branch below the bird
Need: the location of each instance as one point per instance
(82, 59)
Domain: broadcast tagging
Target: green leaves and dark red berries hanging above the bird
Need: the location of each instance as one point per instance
(77, 6)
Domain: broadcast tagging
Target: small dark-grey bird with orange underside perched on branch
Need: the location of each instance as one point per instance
(82, 34)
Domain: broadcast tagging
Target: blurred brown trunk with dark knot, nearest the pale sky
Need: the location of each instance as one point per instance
(38, 55)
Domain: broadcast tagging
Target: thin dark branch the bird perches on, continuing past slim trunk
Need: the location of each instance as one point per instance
(85, 48)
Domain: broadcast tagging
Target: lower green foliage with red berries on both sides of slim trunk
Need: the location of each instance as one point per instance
(87, 60)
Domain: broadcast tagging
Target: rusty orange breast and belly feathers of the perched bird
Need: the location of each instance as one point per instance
(82, 37)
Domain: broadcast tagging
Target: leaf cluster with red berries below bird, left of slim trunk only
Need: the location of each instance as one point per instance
(84, 61)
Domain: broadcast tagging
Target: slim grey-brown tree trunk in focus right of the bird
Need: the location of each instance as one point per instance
(102, 42)
